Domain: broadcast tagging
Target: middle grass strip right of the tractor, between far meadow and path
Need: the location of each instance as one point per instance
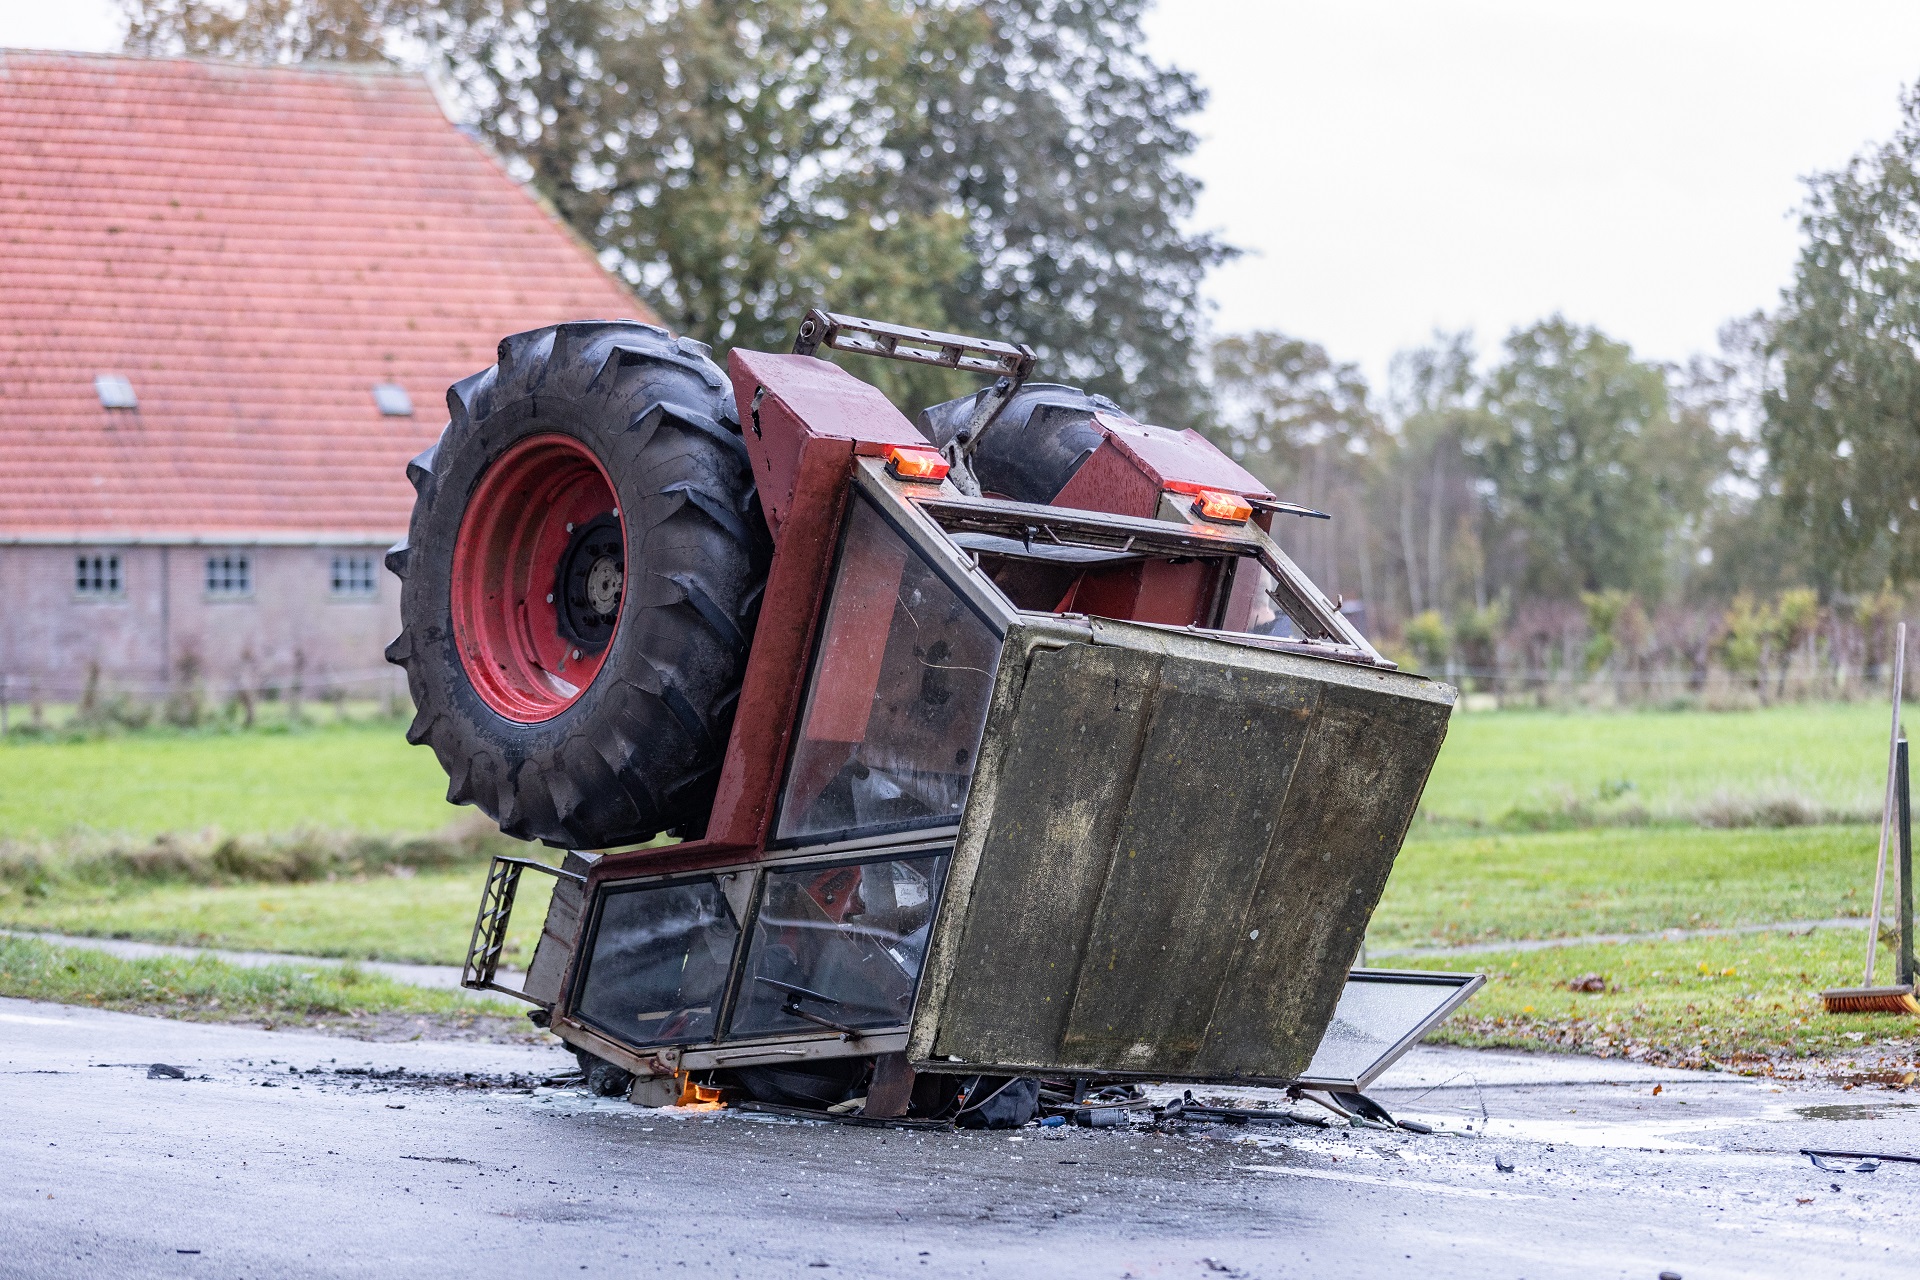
(1621, 880)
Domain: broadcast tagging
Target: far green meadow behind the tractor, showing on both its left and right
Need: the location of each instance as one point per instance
(1499, 769)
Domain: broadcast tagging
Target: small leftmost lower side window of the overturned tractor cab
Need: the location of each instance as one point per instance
(660, 964)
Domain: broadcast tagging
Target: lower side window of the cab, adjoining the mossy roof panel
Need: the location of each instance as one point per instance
(838, 947)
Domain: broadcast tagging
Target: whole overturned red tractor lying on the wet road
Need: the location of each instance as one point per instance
(1001, 746)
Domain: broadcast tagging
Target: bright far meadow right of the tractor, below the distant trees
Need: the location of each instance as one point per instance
(1541, 769)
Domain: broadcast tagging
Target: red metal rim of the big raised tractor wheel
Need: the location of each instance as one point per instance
(525, 519)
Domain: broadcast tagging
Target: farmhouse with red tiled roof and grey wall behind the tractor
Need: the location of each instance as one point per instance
(231, 302)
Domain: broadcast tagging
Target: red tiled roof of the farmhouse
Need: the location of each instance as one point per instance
(252, 249)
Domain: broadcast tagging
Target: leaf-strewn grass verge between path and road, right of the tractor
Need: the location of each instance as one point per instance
(1700, 1003)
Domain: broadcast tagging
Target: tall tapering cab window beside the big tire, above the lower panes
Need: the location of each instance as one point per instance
(898, 698)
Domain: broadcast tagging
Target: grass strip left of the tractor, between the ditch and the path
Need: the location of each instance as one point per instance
(423, 918)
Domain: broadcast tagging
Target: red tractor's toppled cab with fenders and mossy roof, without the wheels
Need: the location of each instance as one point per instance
(1099, 788)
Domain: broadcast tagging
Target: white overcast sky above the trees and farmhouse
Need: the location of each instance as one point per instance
(1476, 164)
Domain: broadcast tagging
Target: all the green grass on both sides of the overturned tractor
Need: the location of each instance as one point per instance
(1522, 838)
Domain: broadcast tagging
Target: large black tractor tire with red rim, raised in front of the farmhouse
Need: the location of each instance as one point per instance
(579, 584)
